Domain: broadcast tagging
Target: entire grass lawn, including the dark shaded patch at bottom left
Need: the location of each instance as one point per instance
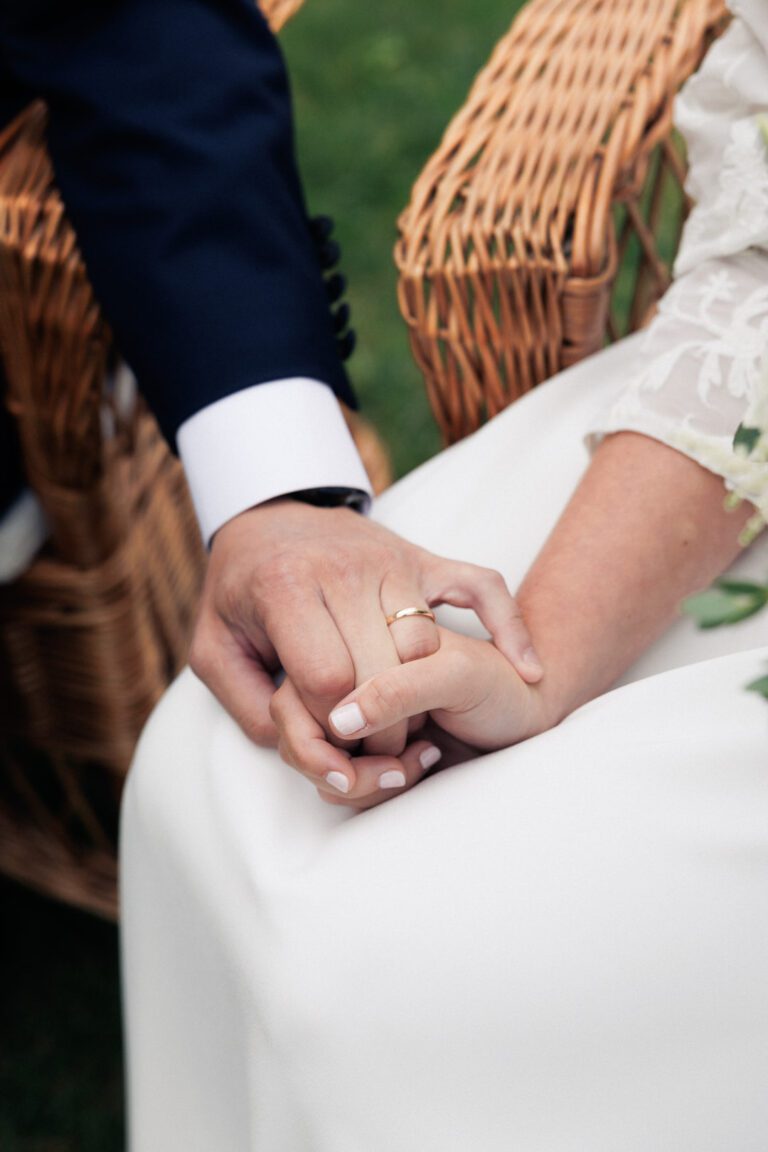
(376, 86)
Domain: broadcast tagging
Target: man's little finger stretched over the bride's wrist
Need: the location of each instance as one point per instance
(485, 592)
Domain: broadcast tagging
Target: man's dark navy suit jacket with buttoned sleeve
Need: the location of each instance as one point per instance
(172, 140)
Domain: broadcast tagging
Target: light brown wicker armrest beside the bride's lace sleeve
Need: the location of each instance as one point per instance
(550, 181)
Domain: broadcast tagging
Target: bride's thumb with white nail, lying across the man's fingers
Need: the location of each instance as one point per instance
(439, 681)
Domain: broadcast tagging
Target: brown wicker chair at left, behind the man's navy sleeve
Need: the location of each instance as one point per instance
(93, 633)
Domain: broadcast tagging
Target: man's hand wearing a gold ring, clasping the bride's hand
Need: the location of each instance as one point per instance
(309, 589)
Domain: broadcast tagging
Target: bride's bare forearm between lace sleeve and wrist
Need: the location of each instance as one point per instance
(645, 528)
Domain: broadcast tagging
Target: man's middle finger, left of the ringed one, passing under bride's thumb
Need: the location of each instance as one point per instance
(372, 649)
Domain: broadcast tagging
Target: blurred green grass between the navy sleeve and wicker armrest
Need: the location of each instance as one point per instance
(375, 88)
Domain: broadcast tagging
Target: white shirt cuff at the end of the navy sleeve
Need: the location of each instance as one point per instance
(267, 442)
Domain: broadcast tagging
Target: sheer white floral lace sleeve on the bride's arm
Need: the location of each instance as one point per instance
(701, 370)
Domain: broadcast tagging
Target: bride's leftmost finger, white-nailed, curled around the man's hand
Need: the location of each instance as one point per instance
(303, 745)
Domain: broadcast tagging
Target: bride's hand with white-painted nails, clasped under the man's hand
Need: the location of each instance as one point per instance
(470, 693)
